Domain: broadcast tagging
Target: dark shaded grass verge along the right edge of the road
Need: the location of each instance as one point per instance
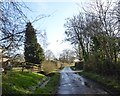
(110, 82)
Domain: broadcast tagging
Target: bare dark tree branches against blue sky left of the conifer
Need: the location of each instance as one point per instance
(12, 23)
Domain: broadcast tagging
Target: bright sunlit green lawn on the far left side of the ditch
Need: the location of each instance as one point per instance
(16, 82)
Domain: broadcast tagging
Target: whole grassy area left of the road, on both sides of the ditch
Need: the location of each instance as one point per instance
(18, 83)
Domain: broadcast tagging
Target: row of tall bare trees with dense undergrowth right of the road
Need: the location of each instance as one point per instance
(96, 34)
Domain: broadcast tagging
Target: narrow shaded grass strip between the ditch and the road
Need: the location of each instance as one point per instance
(51, 86)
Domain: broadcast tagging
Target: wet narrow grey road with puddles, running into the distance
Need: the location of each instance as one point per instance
(72, 83)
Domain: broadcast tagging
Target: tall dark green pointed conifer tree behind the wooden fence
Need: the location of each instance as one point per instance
(33, 51)
